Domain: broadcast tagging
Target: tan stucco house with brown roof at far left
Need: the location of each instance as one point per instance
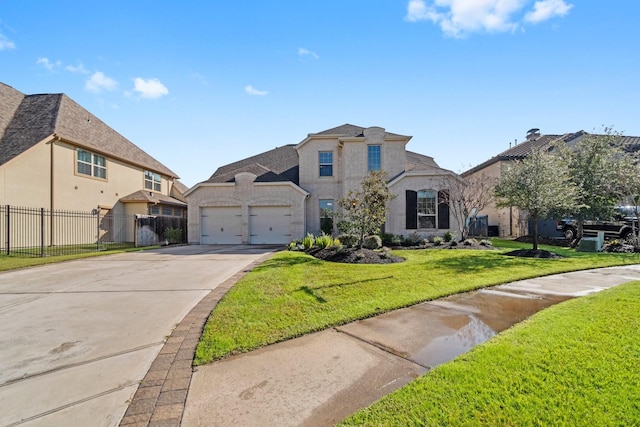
(56, 155)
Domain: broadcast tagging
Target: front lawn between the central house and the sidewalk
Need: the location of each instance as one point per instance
(293, 294)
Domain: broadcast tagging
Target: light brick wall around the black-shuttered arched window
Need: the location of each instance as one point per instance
(396, 215)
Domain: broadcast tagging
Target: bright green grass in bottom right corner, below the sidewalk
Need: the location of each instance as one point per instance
(574, 364)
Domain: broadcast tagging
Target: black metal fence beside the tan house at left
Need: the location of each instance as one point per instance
(39, 232)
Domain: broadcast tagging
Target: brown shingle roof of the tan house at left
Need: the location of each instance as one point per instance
(28, 119)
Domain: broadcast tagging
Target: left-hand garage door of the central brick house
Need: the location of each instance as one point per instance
(221, 225)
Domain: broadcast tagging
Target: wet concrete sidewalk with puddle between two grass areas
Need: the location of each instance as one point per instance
(321, 378)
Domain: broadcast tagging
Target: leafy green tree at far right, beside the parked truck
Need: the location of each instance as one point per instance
(598, 166)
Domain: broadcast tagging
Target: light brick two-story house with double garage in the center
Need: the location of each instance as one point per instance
(282, 194)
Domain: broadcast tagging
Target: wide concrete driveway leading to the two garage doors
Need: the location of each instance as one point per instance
(76, 338)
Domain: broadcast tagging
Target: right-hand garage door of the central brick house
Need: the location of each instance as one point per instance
(270, 224)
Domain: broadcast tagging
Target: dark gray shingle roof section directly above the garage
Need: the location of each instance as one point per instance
(279, 164)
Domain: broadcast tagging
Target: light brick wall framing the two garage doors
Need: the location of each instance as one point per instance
(246, 193)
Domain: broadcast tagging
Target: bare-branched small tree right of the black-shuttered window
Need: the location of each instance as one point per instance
(466, 197)
